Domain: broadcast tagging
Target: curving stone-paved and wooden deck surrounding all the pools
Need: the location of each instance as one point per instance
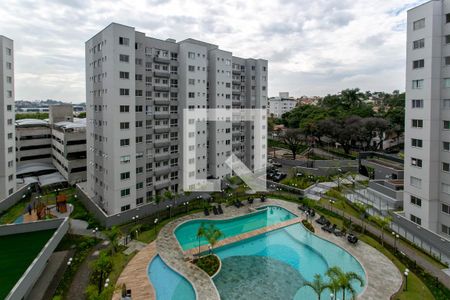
(383, 278)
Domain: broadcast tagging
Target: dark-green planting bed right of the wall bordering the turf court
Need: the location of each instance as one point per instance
(82, 246)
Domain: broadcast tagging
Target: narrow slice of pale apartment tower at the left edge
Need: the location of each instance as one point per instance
(7, 135)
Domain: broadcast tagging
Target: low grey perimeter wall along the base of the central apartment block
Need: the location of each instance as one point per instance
(142, 211)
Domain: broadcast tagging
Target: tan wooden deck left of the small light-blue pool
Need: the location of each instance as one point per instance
(135, 275)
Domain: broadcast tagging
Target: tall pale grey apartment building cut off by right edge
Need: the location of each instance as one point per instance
(427, 133)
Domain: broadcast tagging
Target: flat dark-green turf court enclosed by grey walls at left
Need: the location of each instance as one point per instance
(17, 253)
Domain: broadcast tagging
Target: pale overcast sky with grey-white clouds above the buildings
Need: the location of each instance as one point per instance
(313, 47)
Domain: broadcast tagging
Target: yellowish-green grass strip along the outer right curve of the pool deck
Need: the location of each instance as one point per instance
(417, 290)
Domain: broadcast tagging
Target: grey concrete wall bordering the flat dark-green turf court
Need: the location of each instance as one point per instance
(31, 275)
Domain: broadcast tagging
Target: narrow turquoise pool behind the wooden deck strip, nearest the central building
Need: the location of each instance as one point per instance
(186, 233)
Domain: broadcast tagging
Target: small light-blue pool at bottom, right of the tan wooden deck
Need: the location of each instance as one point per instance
(168, 284)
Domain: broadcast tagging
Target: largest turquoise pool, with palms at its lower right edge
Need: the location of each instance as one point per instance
(275, 265)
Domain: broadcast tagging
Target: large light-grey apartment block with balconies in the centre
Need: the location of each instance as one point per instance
(136, 90)
